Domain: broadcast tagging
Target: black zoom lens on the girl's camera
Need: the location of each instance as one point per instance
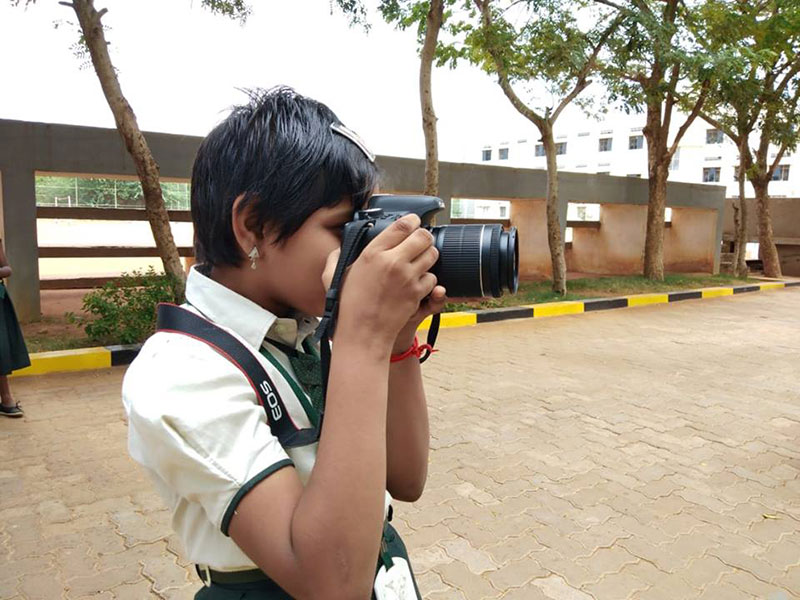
(476, 260)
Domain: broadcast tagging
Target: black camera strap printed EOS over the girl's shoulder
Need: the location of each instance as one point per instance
(174, 319)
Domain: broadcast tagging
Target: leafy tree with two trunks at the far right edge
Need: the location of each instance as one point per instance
(759, 91)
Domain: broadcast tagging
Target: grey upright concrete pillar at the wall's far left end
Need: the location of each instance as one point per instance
(18, 229)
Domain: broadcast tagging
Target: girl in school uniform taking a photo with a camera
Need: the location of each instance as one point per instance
(272, 187)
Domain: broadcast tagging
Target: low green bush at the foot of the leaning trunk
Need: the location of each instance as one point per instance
(124, 312)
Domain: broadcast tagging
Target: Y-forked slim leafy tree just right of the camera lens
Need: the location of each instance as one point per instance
(550, 48)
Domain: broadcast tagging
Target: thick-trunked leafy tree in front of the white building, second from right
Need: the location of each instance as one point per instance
(656, 63)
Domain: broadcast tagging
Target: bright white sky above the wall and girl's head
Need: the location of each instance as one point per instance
(179, 67)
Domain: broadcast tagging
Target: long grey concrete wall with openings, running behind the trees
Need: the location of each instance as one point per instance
(27, 148)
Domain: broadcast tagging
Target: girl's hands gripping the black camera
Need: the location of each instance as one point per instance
(388, 284)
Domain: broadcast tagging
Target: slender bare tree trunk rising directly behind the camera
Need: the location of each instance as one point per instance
(433, 23)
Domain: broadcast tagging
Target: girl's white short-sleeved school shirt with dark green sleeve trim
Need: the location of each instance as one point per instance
(195, 424)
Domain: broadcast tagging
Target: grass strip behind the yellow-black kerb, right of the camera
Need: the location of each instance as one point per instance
(536, 292)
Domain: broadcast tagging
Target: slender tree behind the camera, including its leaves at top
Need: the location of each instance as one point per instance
(428, 16)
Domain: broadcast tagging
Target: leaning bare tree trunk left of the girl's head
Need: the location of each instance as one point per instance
(146, 167)
